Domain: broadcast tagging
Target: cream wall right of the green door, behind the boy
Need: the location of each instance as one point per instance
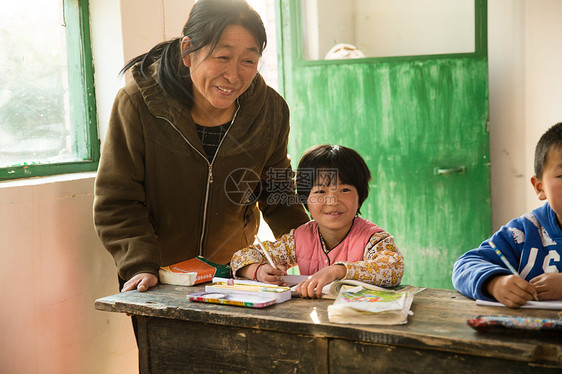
(525, 57)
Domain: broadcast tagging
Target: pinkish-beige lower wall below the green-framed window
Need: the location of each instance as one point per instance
(54, 269)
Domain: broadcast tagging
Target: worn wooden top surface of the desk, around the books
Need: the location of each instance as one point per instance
(439, 322)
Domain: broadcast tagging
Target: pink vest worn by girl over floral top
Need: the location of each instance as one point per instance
(311, 256)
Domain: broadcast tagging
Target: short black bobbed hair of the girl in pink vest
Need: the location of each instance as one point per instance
(332, 162)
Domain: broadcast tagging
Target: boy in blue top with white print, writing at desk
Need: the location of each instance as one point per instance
(532, 243)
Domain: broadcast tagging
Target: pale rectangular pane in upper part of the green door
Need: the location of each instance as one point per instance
(385, 28)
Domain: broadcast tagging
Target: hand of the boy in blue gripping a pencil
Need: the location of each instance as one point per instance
(511, 290)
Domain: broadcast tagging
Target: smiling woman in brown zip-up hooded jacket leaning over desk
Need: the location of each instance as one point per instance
(196, 147)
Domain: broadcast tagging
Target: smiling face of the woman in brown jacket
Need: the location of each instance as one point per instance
(220, 77)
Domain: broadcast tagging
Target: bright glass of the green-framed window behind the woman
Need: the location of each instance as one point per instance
(42, 119)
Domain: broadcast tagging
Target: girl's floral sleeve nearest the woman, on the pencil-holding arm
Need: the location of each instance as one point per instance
(282, 252)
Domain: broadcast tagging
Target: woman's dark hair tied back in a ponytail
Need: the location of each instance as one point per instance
(205, 25)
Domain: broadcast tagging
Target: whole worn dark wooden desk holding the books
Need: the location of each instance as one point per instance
(177, 336)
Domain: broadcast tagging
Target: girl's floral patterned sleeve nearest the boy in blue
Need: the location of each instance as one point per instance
(383, 264)
